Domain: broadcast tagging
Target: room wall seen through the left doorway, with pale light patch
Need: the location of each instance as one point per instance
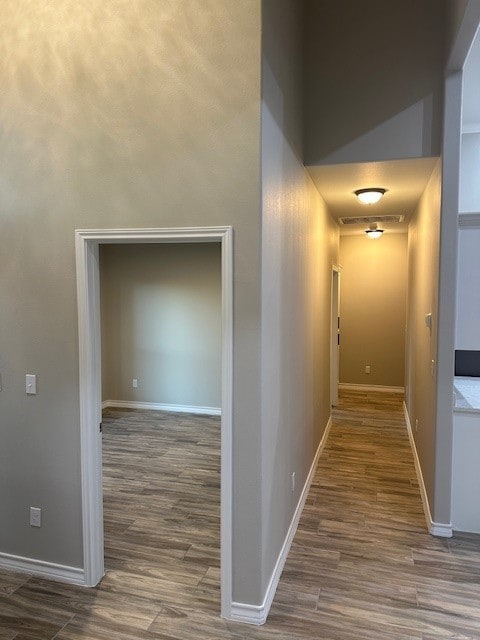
(161, 323)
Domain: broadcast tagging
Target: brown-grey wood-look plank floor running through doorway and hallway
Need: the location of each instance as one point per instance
(362, 564)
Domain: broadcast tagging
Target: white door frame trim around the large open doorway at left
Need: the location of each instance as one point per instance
(87, 242)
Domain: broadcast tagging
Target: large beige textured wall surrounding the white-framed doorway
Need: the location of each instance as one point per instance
(117, 114)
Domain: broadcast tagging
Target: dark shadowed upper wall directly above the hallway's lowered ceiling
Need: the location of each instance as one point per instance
(381, 66)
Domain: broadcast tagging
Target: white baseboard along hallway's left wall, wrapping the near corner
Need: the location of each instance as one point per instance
(257, 614)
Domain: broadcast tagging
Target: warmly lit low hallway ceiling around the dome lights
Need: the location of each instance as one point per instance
(405, 181)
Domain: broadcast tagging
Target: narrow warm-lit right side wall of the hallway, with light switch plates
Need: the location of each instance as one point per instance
(423, 267)
